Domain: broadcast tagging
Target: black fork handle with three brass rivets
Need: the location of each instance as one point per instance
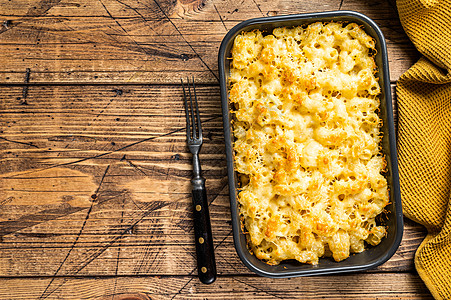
(206, 265)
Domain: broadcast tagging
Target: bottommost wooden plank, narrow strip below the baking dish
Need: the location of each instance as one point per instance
(357, 286)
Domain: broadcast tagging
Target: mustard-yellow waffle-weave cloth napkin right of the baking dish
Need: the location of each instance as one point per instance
(424, 137)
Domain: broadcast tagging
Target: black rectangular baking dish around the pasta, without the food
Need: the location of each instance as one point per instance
(371, 257)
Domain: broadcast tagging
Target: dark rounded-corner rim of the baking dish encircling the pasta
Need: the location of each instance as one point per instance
(395, 189)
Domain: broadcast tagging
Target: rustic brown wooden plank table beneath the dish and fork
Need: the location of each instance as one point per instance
(94, 170)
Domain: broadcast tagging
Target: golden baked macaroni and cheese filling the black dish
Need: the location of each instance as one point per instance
(307, 137)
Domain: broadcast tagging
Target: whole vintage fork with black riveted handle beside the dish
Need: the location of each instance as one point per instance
(206, 266)
